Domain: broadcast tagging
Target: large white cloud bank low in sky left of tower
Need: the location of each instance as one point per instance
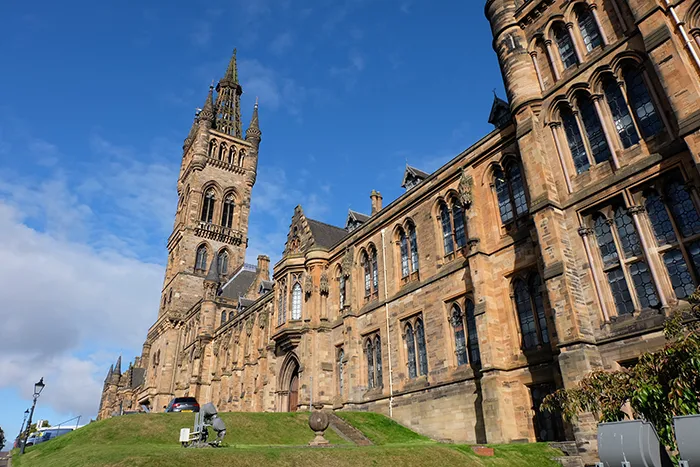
(61, 299)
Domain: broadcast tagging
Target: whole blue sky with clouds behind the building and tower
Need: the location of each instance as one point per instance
(96, 99)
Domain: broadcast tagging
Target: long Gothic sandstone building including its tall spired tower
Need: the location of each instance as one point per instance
(553, 246)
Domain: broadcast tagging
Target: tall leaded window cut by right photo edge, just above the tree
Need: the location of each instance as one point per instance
(673, 213)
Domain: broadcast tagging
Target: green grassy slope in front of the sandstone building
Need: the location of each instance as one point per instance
(262, 439)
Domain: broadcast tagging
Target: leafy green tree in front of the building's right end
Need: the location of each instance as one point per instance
(659, 386)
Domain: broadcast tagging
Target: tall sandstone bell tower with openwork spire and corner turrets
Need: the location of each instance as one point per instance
(216, 178)
